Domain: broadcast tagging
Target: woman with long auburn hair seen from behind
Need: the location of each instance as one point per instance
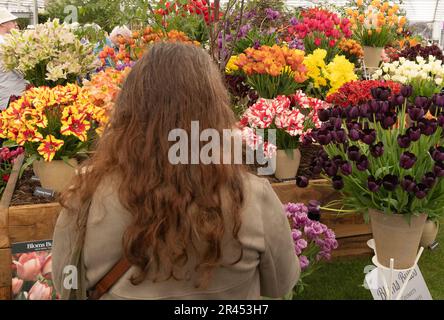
(189, 231)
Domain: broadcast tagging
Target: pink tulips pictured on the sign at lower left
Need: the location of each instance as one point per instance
(32, 278)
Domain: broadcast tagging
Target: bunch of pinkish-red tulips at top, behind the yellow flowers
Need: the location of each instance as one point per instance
(320, 28)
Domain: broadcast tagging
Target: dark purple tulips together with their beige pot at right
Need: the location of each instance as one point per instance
(387, 166)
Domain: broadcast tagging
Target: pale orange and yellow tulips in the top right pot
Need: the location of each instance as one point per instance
(376, 23)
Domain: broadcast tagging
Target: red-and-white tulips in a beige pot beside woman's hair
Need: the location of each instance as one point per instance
(292, 117)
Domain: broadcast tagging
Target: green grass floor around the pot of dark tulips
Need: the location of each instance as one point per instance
(344, 278)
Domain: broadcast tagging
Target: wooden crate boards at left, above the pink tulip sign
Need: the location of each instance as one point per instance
(20, 224)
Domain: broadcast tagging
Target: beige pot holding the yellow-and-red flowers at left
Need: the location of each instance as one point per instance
(55, 175)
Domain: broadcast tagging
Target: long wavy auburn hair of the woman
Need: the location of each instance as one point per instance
(176, 209)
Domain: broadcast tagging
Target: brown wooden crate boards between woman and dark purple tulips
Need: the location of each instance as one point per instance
(351, 231)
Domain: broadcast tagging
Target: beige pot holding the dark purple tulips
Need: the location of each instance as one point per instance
(396, 238)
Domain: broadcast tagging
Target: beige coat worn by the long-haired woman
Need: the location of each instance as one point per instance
(269, 266)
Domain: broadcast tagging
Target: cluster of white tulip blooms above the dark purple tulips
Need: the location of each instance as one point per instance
(406, 71)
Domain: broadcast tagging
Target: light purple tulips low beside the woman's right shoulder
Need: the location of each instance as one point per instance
(313, 241)
